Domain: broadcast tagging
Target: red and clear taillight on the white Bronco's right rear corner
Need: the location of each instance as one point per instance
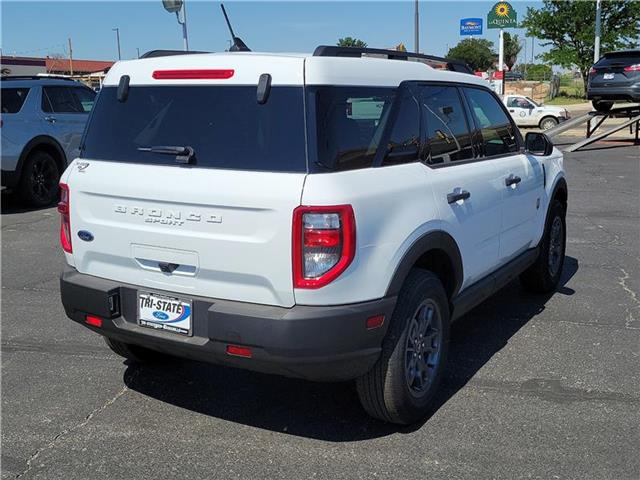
(324, 244)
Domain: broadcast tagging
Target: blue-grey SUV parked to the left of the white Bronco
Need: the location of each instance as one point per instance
(43, 119)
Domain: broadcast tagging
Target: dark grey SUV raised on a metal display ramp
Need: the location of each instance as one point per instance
(615, 77)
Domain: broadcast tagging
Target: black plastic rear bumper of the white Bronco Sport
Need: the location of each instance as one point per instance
(316, 343)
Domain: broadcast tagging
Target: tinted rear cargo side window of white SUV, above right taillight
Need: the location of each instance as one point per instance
(348, 124)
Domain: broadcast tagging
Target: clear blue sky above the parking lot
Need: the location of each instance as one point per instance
(38, 28)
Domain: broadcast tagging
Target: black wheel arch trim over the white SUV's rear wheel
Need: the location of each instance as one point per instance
(435, 240)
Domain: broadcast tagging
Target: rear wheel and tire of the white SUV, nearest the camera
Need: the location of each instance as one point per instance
(386, 391)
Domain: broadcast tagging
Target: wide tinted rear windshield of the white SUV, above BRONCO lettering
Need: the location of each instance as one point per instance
(225, 126)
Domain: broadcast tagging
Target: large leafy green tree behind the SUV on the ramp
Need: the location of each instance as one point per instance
(569, 28)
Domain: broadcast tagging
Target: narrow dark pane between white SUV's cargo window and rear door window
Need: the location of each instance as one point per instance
(404, 141)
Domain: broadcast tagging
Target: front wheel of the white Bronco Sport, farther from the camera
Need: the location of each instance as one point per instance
(543, 276)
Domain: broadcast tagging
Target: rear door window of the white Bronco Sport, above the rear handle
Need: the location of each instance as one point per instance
(446, 125)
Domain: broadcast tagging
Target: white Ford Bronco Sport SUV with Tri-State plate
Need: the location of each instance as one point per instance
(315, 216)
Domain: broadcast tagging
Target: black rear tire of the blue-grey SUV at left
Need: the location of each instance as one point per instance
(39, 180)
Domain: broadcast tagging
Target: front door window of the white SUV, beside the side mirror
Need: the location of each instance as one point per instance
(498, 135)
